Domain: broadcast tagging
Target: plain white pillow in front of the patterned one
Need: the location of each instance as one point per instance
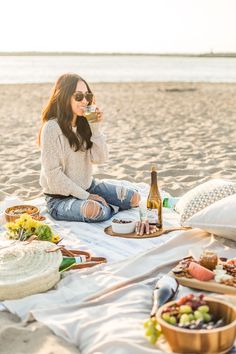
(218, 218)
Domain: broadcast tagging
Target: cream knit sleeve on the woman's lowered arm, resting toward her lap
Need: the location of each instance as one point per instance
(52, 164)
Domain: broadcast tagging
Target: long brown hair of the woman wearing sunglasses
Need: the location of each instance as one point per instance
(59, 106)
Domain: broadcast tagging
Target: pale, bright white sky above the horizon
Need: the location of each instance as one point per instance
(118, 26)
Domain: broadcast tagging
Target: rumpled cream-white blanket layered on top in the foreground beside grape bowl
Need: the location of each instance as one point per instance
(102, 309)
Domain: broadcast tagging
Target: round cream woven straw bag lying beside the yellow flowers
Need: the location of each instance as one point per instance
(26, 269)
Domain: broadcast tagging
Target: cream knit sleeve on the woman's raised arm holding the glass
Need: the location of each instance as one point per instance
(99, 151)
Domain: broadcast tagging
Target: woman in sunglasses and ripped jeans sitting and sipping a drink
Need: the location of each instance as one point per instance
(70, 145)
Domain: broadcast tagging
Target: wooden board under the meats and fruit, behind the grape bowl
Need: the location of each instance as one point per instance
(210, 285)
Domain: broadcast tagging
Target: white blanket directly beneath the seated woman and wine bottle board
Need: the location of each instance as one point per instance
(91, 237)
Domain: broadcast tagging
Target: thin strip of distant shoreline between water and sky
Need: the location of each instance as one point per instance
(199, 55)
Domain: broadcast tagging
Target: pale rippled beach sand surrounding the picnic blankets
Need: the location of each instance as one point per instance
(187, 129)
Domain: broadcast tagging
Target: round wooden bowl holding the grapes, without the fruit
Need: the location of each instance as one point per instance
(217, 340)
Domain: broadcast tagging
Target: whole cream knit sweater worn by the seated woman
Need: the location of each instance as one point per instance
(63, 170)
